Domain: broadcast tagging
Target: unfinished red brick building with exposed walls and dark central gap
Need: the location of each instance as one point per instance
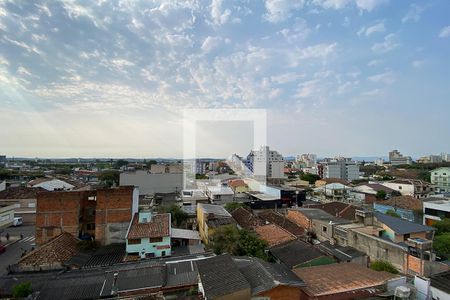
(103, 214)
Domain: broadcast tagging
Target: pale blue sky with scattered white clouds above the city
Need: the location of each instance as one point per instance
(112, 78)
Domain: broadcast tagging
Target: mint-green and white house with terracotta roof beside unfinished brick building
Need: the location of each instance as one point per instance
(149, 235)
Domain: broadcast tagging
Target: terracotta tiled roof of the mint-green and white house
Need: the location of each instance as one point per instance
(159, 226)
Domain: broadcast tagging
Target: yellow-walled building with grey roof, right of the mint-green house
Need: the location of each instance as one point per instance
(210, 217)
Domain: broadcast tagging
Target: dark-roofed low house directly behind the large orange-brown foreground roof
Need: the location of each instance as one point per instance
(297, 253)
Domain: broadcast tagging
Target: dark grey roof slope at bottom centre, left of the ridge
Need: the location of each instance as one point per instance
(220, 276)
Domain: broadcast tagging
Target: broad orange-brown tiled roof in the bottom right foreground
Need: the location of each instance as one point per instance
(340, 278)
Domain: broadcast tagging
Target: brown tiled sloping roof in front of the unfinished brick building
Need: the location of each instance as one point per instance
(58, 250)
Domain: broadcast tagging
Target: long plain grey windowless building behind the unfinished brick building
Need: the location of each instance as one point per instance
(150, 184)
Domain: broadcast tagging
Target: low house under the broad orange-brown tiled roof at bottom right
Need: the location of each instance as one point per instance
(343, 281)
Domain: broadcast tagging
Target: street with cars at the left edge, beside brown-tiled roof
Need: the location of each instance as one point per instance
(16, 246)
